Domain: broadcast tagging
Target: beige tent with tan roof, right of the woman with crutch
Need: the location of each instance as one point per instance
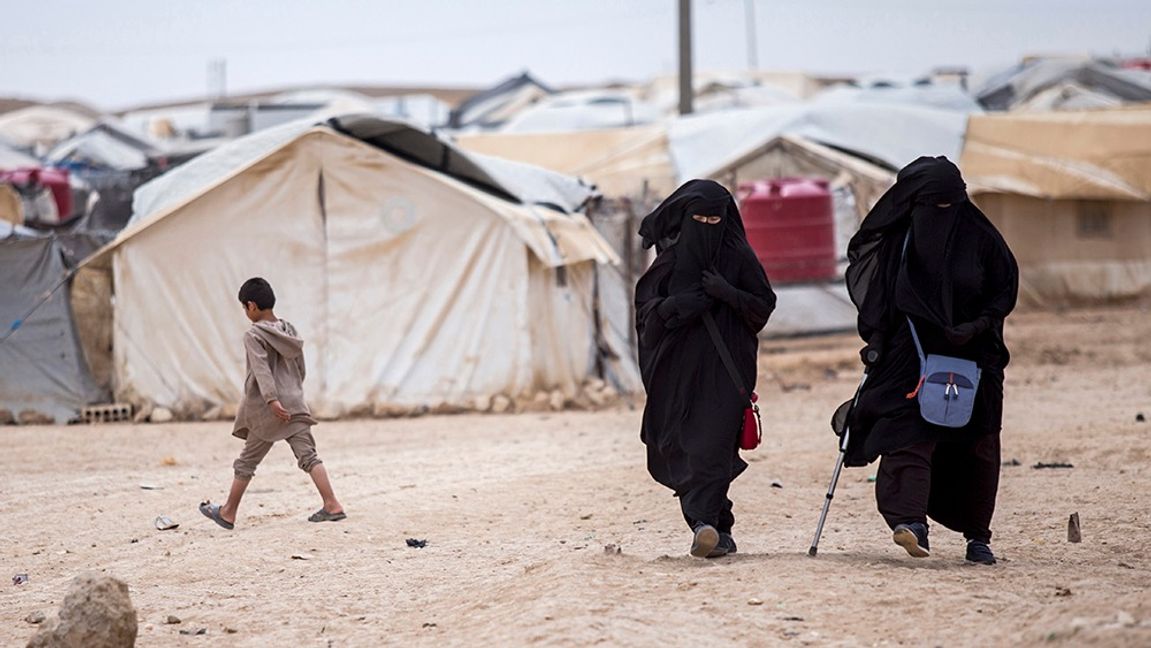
(1072, 194)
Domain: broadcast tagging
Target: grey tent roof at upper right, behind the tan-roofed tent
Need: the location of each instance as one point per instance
(1020, 85)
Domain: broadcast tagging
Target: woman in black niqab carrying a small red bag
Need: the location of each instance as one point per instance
(695, 413)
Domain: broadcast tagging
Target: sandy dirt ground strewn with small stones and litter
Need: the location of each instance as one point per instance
(517, 512)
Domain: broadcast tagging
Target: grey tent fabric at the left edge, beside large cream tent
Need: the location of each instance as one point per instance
(43, 370)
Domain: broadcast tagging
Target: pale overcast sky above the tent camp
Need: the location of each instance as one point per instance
(115, 54)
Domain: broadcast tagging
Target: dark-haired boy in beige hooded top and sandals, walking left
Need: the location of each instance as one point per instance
(273, 407)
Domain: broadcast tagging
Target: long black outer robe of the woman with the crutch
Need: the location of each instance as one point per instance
(957, 276)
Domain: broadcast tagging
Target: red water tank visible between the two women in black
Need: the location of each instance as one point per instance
(792, 228)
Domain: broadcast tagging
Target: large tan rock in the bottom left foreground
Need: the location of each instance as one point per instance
(96, 614)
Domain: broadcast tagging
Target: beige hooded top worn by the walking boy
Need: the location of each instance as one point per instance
(276, 372)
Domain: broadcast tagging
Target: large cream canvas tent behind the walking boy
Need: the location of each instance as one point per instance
(414, 288)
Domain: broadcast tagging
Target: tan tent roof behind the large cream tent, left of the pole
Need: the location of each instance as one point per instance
(620, 162)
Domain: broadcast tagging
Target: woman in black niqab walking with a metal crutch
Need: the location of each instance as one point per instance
(927, 254)
